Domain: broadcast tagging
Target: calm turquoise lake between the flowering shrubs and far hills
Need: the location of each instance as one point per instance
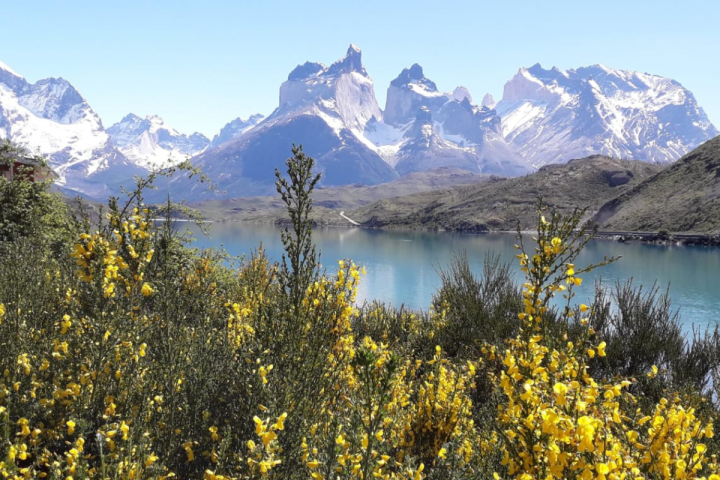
(402, 266)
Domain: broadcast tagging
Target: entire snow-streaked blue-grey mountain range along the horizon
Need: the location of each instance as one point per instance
(544, 117)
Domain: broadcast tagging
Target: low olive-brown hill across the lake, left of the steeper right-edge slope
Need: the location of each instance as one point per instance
(499, 204)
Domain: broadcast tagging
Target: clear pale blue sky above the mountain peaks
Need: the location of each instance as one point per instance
(201, 64)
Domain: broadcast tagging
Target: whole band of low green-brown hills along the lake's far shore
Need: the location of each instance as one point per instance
(620, 197)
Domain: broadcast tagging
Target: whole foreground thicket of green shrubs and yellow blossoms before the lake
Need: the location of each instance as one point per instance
(126, 354)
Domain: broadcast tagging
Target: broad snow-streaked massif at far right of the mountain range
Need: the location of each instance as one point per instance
(553, 115)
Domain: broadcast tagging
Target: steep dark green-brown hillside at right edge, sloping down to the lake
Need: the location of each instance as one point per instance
(685, 197)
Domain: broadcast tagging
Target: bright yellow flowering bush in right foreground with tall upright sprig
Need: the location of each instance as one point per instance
(557, 421)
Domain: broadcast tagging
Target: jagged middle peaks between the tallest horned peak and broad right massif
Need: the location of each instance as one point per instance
(423, 128)
